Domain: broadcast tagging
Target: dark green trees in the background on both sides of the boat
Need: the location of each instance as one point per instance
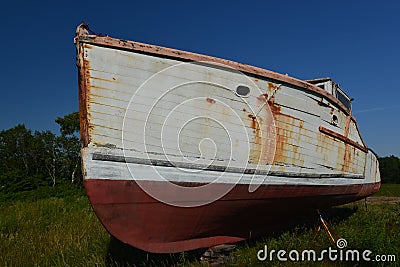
(32, 159)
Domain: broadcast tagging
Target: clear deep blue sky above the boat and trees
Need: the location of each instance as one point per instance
(357, 43)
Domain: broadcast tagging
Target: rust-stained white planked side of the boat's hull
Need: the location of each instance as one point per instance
(119, 94)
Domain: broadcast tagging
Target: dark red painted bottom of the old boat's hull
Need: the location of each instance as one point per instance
(135, 218)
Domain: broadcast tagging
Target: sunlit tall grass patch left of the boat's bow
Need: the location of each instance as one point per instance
(51, 232)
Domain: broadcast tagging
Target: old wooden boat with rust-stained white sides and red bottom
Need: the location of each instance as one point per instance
(184, 151)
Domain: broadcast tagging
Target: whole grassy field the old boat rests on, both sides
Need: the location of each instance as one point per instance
(60, 229)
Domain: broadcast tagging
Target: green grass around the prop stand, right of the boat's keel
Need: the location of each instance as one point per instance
(377, 229)
